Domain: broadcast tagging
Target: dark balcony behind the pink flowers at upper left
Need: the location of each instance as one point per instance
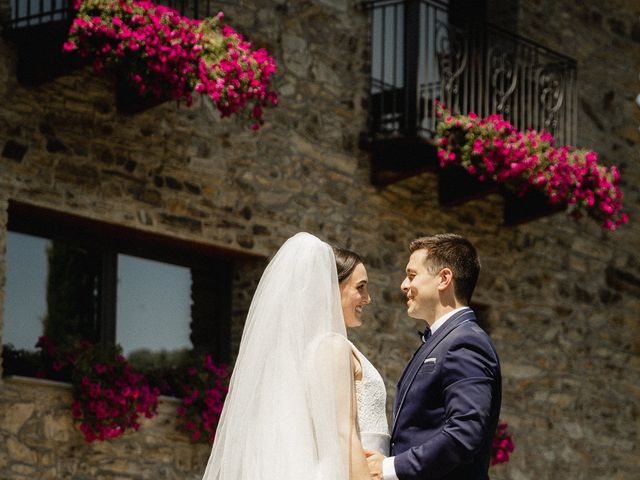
(39, 28)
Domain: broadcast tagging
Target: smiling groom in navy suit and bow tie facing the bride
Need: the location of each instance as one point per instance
(448, 397)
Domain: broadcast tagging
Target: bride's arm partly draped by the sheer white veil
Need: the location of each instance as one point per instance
(333, 399)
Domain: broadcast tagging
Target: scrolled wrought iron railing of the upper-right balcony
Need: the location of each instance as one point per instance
(419, 57)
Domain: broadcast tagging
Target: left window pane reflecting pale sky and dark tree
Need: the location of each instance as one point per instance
(51, 289)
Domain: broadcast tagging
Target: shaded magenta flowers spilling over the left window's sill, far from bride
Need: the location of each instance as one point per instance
(109, 396)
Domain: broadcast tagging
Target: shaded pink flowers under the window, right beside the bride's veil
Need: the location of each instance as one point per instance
(203, 392)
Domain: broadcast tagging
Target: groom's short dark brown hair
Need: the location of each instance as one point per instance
(448, 250)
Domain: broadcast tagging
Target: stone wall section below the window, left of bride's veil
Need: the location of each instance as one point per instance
(39, 440)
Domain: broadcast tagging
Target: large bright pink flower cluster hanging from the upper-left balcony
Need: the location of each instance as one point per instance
(167, 54)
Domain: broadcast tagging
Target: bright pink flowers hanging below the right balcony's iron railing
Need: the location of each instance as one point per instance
(491, 148)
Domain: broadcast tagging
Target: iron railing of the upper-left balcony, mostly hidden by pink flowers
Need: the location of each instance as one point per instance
(31, 13)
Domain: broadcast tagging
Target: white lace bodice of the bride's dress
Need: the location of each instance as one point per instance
(371, 399)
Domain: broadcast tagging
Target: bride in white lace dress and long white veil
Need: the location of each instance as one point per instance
(303, 402)
